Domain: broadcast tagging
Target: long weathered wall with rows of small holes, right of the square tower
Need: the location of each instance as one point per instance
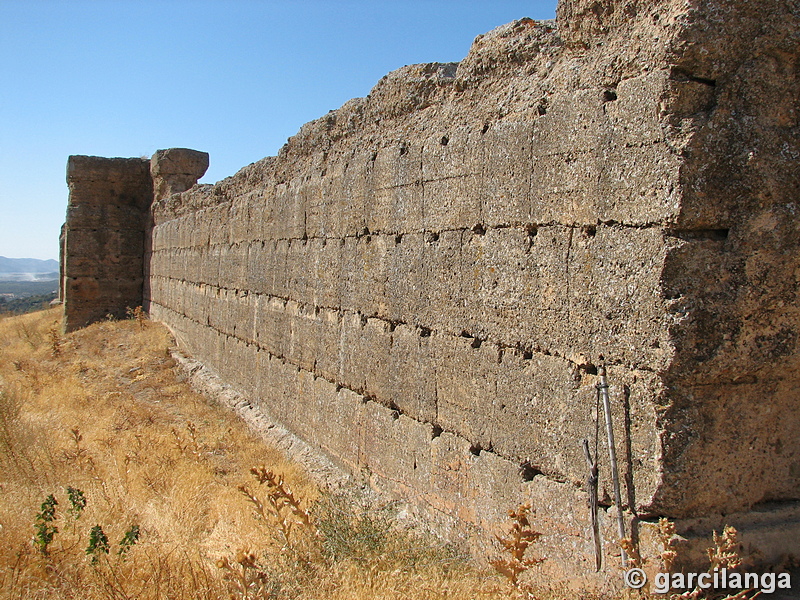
(423, 283)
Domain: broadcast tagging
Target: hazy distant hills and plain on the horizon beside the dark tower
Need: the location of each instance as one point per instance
(27, 284)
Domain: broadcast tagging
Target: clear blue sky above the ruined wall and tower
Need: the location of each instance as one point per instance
(232, 78)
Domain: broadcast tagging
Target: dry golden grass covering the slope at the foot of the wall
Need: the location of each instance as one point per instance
(101, 411)
